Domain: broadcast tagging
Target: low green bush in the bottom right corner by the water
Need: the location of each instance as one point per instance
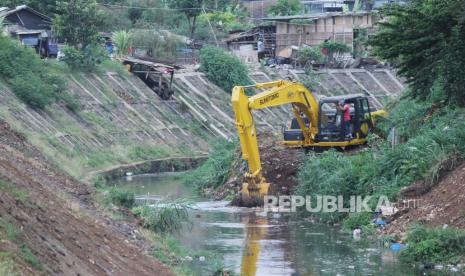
(434, 245)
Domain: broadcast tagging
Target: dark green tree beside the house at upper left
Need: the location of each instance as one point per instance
(78, 21)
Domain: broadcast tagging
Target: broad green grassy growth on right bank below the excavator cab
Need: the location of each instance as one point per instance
(382, 170)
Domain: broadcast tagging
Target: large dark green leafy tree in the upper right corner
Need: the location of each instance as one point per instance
(426, 39)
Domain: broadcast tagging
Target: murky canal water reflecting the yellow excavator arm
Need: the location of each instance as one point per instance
(252, 242)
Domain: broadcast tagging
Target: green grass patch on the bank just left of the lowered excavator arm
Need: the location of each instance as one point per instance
(215, 170)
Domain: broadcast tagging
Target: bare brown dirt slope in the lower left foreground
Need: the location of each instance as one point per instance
(59, 222)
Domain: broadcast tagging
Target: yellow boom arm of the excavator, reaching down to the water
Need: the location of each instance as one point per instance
(279, 93)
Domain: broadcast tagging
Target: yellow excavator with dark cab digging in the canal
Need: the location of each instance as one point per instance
(316, 124)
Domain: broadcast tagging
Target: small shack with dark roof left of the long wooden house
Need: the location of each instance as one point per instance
(244, 44)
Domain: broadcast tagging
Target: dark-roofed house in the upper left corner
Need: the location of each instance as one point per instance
(31, 27)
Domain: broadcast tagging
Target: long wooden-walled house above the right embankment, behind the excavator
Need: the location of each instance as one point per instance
(313, 30)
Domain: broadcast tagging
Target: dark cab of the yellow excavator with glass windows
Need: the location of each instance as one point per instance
(330, 121)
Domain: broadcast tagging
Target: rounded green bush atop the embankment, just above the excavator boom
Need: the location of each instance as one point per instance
(223, 68)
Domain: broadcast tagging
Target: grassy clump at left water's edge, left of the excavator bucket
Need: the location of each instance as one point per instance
(164, 217)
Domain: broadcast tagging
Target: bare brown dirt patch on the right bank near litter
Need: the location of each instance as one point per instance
(443, 204)
